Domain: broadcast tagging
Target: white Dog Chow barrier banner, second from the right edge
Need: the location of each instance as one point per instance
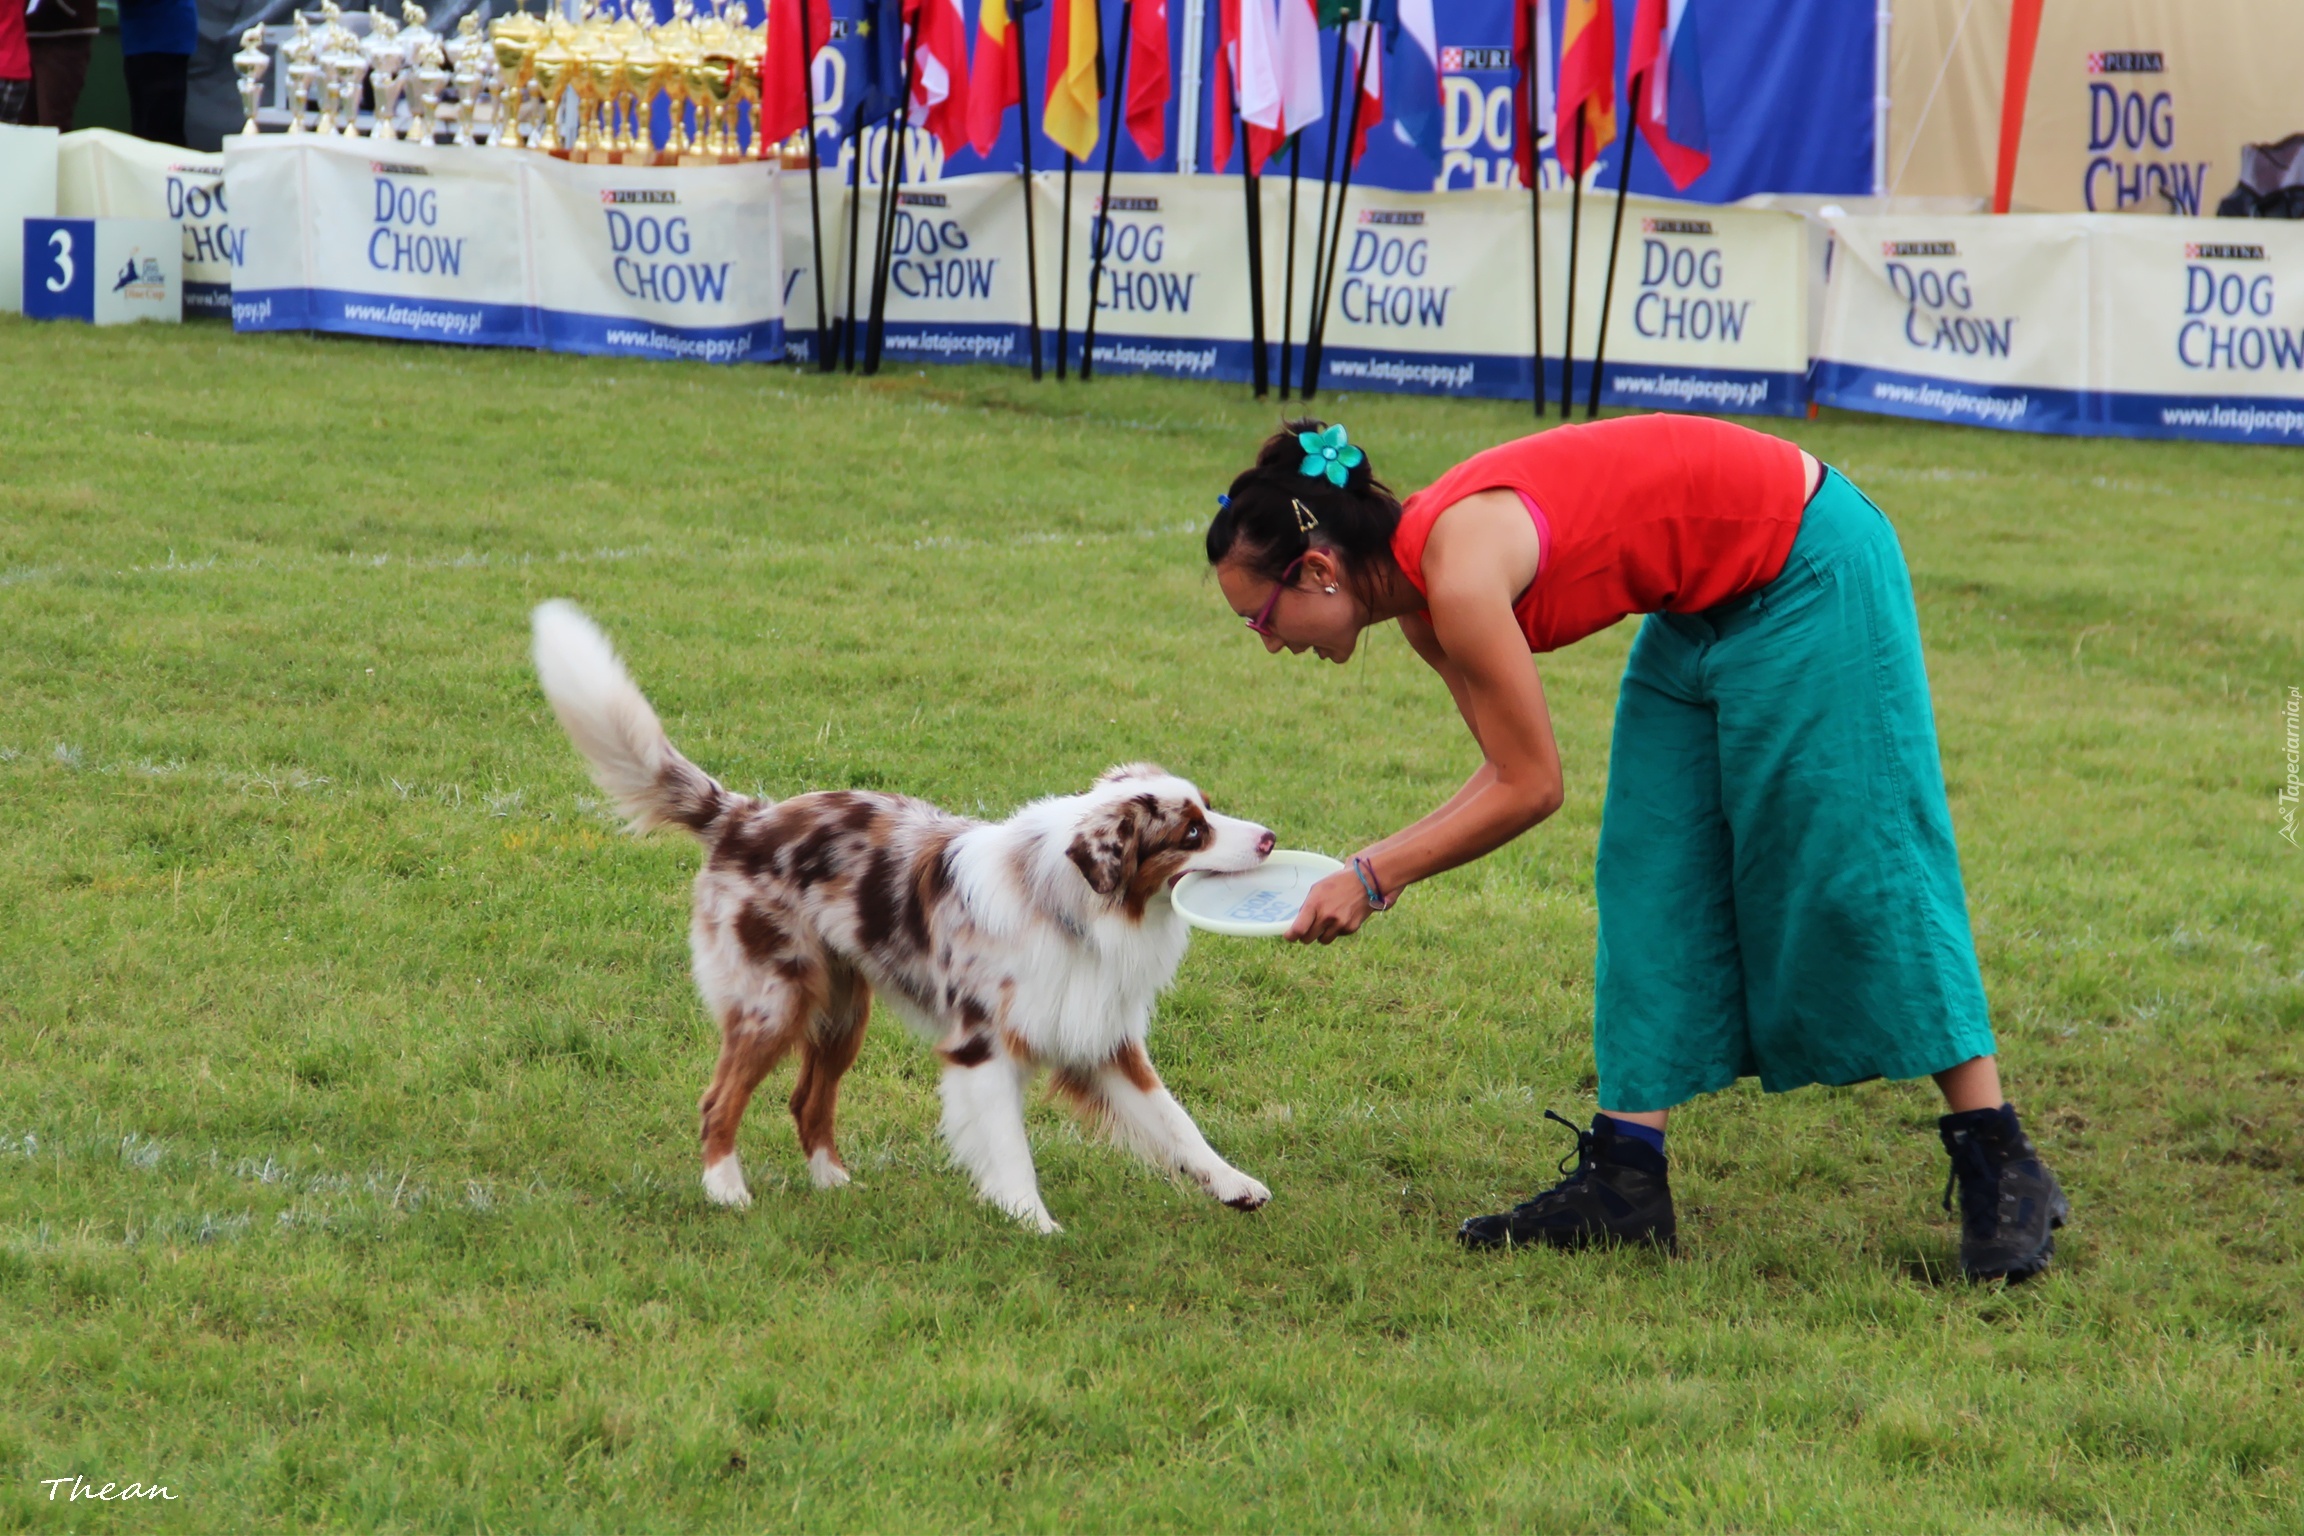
(1980, 321)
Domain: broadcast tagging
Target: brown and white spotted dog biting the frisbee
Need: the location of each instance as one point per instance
(1015, 945)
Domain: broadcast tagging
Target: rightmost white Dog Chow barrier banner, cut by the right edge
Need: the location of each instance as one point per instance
(2199, 328)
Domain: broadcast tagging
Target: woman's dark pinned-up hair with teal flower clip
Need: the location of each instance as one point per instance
(1261, 524)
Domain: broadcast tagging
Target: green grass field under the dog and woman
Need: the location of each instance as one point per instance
(351, 1063)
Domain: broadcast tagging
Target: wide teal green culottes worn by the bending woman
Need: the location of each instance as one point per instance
(1780, 892)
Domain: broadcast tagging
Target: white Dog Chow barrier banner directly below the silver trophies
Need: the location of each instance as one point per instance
(407, 241)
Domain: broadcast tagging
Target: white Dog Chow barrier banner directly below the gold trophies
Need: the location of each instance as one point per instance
(655, 261)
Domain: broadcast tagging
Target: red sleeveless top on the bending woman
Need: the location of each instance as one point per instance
(1642, 515)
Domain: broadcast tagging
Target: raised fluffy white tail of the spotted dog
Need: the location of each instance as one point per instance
(614, 727)
